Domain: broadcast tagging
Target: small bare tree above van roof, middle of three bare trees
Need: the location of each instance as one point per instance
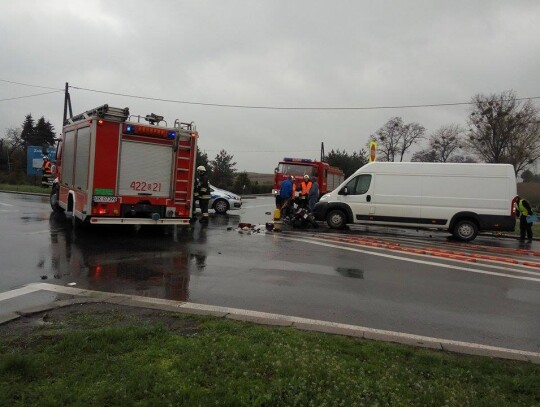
(444, 144)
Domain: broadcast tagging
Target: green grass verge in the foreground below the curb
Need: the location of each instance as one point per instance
(116, 360)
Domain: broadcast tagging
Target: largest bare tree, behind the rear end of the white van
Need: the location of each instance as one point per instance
(504, 130)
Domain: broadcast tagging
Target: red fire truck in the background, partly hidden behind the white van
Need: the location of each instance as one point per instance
(328, 177)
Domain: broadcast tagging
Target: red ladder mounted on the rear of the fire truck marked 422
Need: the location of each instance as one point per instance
(186, 151)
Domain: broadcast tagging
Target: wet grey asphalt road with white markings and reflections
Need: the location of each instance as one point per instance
(409, 281)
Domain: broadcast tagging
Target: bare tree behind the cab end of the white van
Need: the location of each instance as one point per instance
(395, 138)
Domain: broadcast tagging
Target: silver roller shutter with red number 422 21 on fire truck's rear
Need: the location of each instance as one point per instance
(139, 174)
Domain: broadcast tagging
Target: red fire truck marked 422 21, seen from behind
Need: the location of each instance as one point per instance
(111, 170)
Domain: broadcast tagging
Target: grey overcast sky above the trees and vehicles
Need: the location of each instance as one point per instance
(303, 53)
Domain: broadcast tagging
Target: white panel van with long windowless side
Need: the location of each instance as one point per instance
(461, 198)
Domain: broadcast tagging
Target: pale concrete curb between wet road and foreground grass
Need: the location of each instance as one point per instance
(81, 296)
